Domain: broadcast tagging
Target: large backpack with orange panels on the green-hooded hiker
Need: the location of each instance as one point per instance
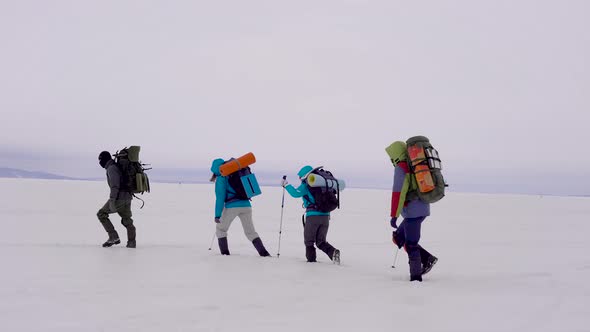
(426, 182)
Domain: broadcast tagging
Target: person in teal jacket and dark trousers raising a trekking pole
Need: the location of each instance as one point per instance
(315, 229)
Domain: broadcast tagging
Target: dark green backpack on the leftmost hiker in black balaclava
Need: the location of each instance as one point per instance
(133, 177)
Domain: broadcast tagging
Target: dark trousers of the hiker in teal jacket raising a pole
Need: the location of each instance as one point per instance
(315, 232)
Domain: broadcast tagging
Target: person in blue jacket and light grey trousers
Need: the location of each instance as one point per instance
(227, 208)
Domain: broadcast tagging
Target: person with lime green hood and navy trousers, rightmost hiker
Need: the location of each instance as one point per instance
(414, 211)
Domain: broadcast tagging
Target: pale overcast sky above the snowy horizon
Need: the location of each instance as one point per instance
(498, 86)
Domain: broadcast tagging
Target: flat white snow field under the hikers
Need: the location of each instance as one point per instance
(506, 263)
